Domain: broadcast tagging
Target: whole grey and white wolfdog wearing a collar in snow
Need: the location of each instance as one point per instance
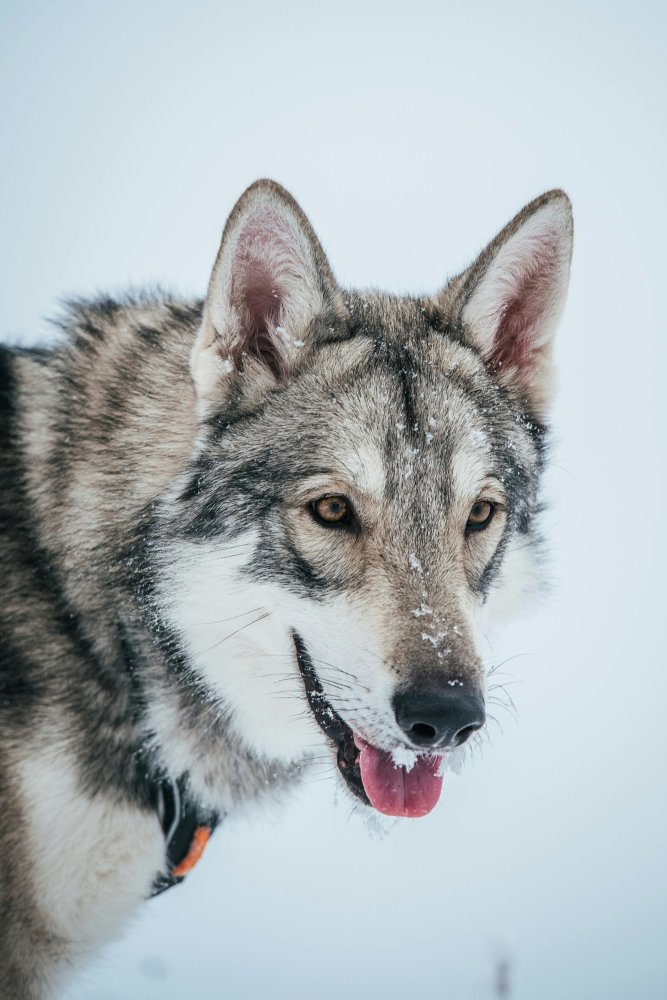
(240, 532)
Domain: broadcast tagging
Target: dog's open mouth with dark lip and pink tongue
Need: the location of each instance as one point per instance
(371, 774)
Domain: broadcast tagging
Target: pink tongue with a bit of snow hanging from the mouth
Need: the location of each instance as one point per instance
(395, 791)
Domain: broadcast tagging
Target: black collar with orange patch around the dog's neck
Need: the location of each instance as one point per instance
(186, 831)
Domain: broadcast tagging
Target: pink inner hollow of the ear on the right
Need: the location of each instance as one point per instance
(517, 339)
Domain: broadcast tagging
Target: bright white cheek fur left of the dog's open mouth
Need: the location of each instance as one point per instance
(237, 634)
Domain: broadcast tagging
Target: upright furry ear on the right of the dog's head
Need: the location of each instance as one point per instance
(510, 300)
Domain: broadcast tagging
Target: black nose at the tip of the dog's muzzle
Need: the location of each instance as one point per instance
(438, 717)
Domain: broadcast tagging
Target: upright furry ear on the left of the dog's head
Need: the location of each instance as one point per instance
(270, 282)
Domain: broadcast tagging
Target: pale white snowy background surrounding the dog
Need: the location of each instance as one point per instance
(410, 133)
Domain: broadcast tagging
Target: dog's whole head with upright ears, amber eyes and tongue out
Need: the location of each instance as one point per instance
(365, 478)
